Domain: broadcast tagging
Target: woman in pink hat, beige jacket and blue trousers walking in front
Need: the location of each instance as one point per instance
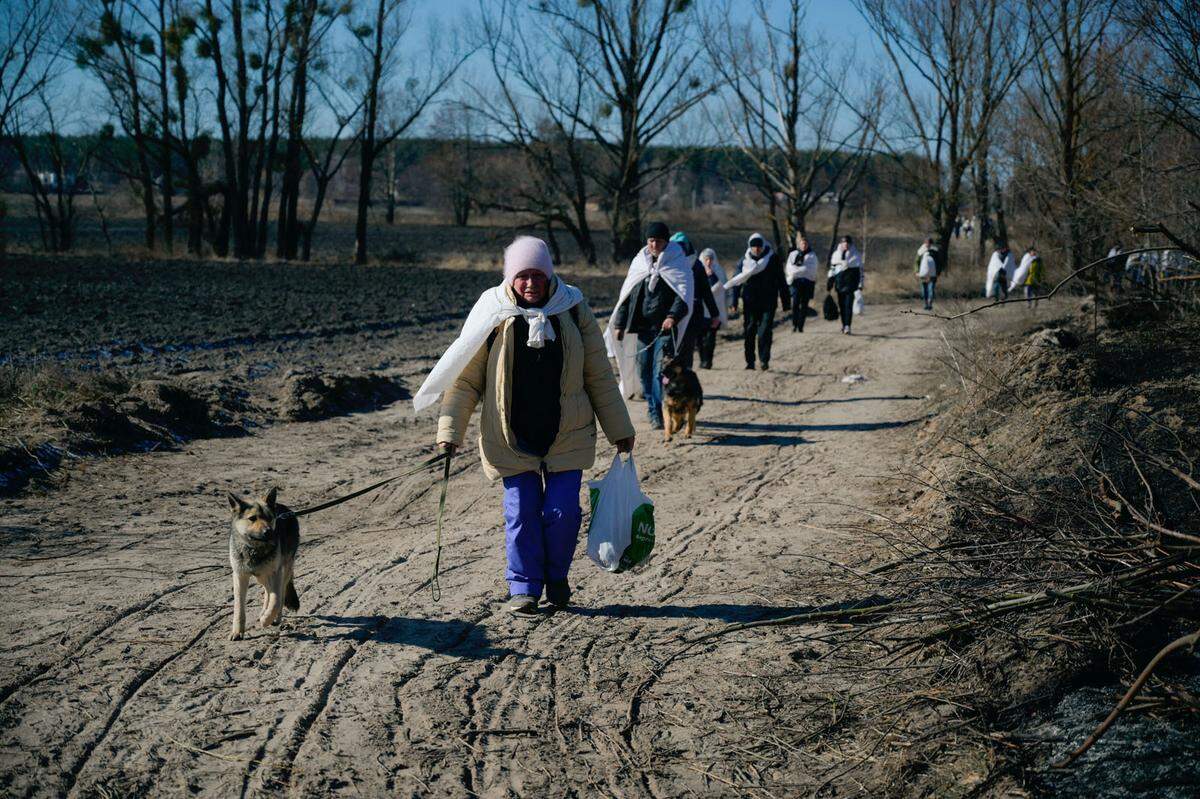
(532, 353)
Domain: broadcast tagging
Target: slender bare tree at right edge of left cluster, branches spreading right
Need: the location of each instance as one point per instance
(382, 38)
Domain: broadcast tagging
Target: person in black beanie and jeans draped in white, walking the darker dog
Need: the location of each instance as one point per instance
(656, 305)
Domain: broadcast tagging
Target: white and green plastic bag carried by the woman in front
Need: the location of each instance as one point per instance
(621, 534)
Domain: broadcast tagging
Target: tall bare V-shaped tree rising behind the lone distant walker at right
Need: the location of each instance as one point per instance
(955, 63)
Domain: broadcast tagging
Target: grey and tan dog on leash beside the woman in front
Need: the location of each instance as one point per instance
(265, 546)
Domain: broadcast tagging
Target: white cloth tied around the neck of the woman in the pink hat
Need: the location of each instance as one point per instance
(494, 308)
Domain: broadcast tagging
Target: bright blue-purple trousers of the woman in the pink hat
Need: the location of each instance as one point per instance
(542, 521)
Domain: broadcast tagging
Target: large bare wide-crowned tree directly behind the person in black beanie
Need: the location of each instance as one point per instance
(641, 75)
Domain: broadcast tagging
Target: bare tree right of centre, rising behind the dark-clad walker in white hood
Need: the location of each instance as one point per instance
(788, 112)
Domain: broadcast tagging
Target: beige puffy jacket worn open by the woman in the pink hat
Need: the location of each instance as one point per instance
(589, 392)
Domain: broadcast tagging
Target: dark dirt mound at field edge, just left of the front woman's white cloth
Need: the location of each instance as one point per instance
(310, 397)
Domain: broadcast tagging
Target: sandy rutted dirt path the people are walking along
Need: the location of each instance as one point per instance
(116, 671)
